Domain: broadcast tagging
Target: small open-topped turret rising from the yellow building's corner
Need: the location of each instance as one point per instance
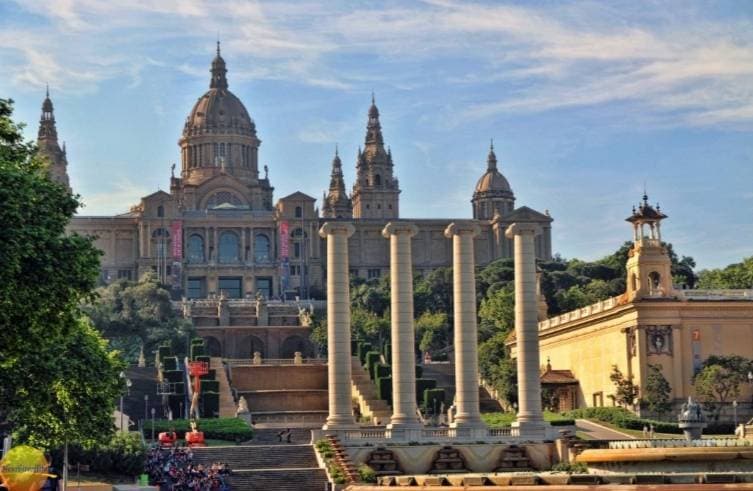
(649, 268)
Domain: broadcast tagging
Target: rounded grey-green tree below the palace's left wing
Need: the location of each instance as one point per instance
(134, 314)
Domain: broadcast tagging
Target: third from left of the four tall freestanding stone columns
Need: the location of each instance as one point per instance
(466, 335)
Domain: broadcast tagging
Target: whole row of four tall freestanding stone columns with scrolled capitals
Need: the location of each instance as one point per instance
(404, 417)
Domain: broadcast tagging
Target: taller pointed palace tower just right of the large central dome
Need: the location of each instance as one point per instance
(376, 193)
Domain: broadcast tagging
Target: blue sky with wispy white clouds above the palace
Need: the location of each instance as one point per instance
(588, 102)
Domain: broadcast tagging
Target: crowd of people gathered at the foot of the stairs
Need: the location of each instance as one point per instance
(173, 469)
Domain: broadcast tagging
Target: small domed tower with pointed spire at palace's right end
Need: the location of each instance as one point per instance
(493, 194)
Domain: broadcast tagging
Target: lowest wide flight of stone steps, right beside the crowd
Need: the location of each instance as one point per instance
(283, 467)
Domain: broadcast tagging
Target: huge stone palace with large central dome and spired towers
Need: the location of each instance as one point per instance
(218, 228)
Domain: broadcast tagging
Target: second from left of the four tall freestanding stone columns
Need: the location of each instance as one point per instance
(402, 334)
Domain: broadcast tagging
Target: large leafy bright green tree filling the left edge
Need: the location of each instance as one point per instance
(58, 380)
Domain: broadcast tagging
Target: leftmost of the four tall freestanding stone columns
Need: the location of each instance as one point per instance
(338, 325)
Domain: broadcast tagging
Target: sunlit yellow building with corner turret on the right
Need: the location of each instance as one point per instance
(652, 323)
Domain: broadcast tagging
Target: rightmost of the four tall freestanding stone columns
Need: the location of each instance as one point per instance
(530, 417)
